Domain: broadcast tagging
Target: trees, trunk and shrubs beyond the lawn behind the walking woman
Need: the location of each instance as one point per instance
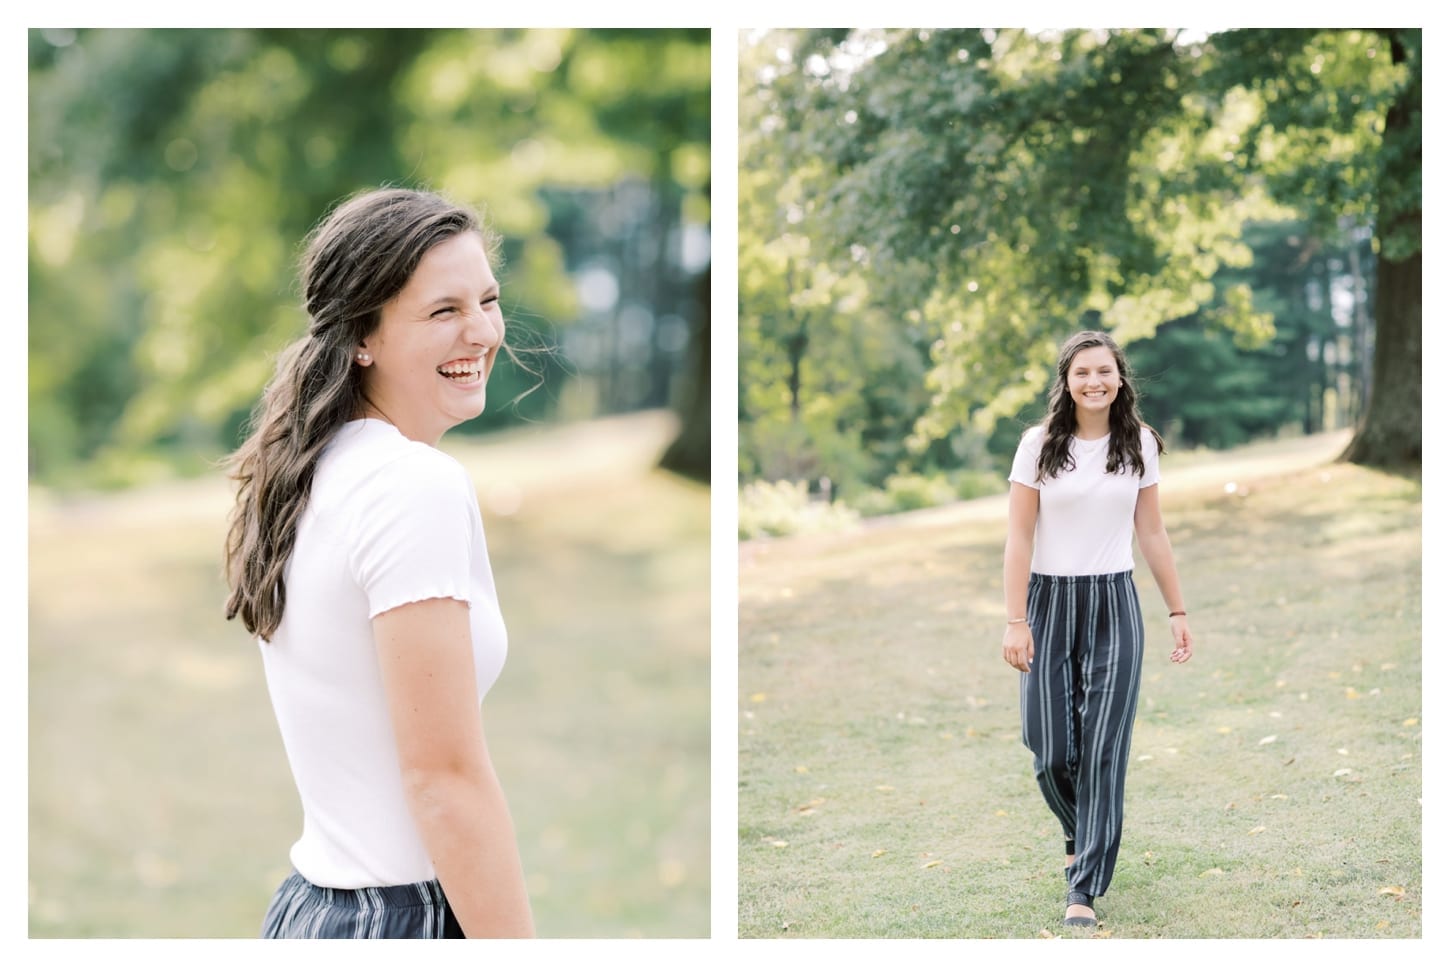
(926, 215)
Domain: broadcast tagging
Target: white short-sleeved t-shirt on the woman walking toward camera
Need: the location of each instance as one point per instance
(1084, 515)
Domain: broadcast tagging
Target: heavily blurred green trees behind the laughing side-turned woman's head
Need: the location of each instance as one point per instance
(173, 175)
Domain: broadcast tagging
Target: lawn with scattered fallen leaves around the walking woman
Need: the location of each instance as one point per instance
(1277, 778)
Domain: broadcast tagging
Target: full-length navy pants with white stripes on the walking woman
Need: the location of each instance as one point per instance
(1078, 707)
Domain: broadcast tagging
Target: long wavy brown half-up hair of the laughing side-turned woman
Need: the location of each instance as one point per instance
(356, 260)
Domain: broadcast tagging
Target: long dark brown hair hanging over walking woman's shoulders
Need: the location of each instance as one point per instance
(1124, 423)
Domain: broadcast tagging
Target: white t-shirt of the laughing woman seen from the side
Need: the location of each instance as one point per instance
(389, 523)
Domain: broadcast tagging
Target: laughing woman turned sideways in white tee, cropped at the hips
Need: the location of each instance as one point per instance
(356, 555)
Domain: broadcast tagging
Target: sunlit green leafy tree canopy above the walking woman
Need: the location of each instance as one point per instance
(990, 192)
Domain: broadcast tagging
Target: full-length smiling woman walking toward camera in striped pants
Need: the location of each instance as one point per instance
(1084, 483)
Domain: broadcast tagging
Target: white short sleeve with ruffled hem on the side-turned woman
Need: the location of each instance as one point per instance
(413, 536)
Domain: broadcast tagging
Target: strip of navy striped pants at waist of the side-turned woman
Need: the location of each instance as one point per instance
(304, 911)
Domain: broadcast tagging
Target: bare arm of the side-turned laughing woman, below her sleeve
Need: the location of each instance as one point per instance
(426, 653)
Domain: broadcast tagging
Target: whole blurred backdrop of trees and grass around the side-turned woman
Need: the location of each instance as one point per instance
(173, 176)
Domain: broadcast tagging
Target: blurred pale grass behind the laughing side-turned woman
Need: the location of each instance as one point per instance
(160, 797)
